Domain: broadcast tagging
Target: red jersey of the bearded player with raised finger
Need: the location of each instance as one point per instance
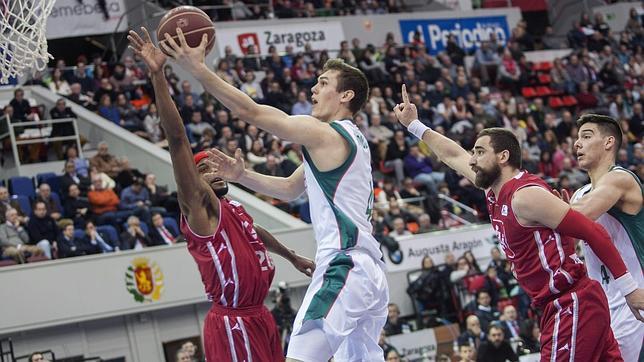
(544, 263)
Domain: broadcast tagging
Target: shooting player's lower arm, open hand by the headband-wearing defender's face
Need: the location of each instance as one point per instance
(234, 170)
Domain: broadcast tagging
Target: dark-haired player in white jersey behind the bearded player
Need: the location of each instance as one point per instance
(614, 199)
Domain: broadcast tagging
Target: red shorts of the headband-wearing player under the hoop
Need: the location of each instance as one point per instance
(241, 334)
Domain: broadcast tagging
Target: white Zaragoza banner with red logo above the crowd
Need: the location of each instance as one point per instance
(321, 35)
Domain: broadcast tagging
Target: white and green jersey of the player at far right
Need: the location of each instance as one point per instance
(627, 232)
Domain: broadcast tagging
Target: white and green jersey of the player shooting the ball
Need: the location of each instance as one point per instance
(341, 199)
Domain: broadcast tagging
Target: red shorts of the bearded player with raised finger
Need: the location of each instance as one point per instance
(576, 326)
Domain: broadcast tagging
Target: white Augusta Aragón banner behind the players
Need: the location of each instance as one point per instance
(478, 239)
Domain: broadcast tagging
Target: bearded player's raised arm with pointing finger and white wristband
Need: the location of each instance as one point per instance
(448, 151)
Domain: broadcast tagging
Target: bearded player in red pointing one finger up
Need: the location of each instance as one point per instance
(536, 230)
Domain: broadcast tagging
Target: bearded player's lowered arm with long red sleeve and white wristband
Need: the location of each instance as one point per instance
(537, 206)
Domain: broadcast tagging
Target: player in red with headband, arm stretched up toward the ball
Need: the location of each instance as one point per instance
(230, 251)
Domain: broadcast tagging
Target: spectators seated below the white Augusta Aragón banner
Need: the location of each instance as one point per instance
(498, 324)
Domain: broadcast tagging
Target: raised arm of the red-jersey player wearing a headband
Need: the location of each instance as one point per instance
(196, 199)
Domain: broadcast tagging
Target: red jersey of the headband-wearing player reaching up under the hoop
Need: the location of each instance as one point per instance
(235, 267)
